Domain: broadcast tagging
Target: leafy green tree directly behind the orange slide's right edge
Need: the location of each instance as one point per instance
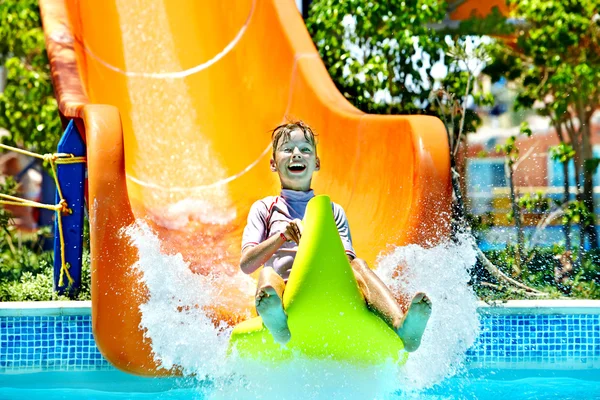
(381, 54)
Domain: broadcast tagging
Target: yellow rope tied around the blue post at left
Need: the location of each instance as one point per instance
(61, 208)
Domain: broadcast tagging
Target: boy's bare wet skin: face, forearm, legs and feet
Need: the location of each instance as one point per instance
(295, 160)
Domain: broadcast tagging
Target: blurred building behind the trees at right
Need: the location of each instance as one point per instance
(486, 181)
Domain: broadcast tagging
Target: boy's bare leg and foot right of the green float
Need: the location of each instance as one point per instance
(409, 326)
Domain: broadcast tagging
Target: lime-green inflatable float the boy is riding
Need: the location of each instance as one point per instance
(327, 316)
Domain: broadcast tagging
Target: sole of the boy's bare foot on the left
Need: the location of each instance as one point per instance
(270, 308)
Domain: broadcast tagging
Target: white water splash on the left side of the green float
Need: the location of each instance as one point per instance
(174, 317)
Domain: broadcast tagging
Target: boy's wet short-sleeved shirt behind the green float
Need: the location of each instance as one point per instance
(270, 216)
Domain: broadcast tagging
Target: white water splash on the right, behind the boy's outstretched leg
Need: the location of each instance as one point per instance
(442, 272)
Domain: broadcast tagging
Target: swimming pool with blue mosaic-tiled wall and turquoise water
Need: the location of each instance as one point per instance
(525, 350)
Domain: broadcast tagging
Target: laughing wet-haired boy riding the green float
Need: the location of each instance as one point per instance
(274, 230)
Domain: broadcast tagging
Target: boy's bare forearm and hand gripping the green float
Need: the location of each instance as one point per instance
(255, 256)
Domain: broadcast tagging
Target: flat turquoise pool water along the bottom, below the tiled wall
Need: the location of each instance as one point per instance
(473, 384)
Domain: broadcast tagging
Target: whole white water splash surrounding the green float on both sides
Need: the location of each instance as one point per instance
(183, 335)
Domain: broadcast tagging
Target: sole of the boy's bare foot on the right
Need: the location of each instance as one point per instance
(413, 324)
